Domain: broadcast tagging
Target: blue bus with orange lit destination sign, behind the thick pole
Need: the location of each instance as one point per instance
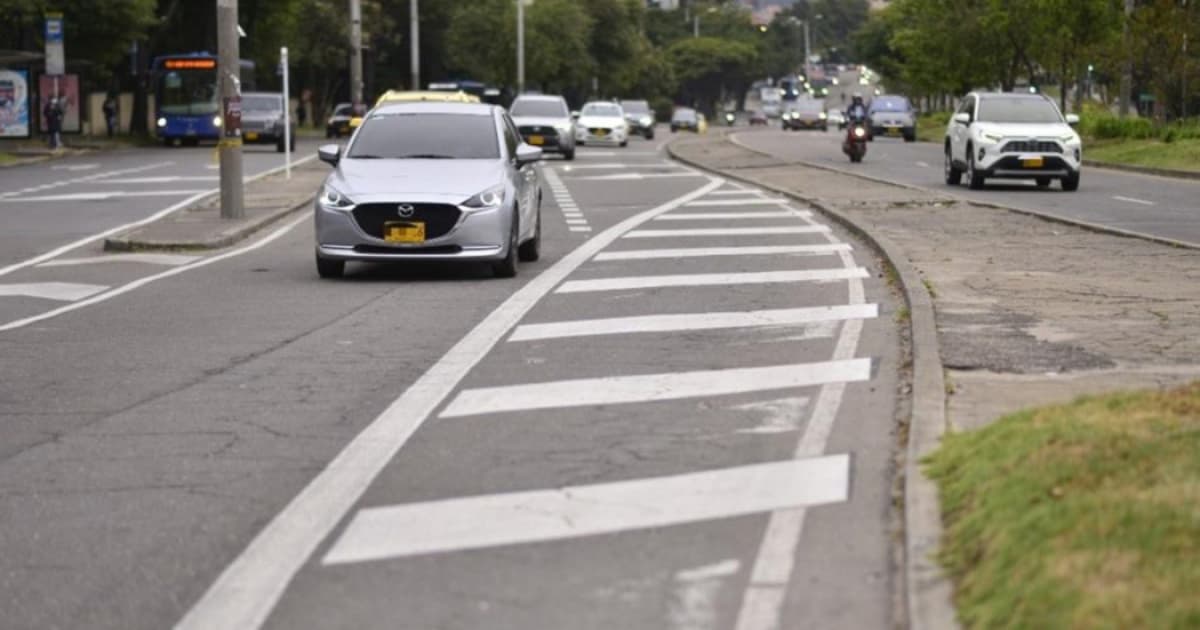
(187, 97)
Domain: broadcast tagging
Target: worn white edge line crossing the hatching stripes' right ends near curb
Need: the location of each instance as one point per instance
(763, 605)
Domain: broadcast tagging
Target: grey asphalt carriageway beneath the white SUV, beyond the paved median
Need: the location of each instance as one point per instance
(1159, 207)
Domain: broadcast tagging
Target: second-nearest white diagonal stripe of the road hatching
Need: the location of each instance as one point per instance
(649, 388)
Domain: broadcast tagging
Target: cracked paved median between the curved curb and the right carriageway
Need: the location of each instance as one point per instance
(1028, 313)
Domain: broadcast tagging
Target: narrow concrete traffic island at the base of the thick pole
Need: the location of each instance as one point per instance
(200, 226)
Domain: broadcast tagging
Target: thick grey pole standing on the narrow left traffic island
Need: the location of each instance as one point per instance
(229, 79)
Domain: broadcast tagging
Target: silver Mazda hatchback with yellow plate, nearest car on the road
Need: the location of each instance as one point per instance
(431, 182)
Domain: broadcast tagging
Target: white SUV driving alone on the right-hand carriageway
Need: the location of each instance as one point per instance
(1012, 136)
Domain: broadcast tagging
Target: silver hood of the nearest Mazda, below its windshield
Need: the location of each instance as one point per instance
(436, 181)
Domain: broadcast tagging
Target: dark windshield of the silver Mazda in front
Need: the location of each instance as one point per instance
(427, 136)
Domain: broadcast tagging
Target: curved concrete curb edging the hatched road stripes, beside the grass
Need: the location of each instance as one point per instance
(928, 592)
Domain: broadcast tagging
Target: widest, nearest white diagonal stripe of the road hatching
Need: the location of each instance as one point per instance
(578, 512)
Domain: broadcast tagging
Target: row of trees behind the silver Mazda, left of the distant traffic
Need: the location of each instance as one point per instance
(580, 49)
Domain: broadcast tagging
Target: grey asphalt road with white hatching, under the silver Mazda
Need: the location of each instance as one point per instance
(682, 417)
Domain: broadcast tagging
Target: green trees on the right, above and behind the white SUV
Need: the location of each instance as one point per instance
(943, 49)
